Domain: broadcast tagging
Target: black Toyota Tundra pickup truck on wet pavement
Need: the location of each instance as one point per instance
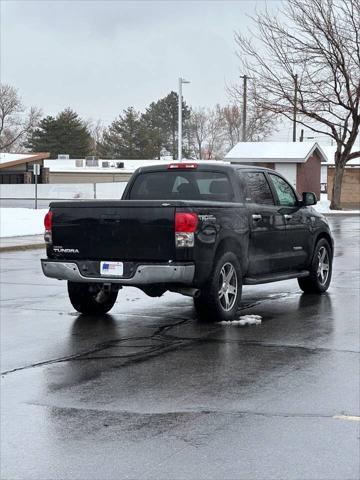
(200, 229)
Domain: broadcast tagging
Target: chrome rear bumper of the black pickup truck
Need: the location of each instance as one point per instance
(144, 275)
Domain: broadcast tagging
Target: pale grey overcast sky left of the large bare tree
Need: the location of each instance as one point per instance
(100, 57)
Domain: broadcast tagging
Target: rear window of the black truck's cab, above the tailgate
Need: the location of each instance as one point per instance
(182, 185)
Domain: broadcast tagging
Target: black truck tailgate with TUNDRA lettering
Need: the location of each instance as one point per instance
(121, 230)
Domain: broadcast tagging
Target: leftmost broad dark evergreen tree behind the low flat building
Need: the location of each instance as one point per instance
(64, 134)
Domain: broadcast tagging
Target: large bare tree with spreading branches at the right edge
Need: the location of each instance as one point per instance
(315, 45)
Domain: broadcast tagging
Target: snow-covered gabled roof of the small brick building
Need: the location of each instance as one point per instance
(287, 152)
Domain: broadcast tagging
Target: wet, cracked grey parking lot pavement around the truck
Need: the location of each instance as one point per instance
(148, 392)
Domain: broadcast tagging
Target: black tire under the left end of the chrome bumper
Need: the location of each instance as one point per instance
(86, 298)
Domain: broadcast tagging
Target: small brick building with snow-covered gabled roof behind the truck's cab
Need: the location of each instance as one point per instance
(299, 162)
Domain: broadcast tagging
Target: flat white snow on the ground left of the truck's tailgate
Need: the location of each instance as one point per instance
(21, 221)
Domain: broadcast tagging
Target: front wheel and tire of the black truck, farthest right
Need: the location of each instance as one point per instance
(320, 269)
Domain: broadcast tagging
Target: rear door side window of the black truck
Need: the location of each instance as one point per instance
(255, 188)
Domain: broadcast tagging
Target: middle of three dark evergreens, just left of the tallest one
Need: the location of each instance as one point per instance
(125, 137)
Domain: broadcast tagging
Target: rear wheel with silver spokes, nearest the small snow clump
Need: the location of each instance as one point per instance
(219, 300)
